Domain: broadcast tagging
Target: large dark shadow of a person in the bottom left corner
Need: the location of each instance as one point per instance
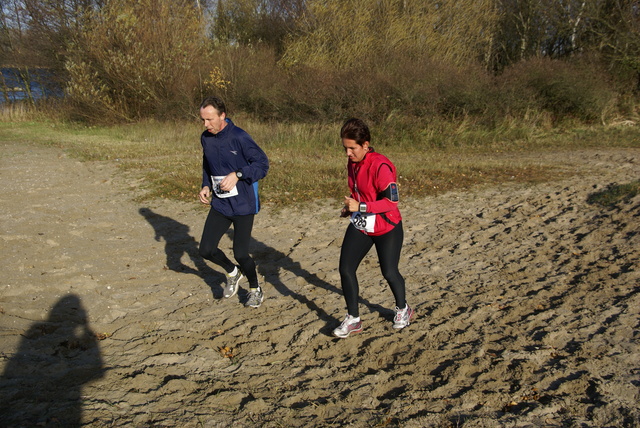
(42, 382)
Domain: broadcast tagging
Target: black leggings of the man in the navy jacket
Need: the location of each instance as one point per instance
(216, 226)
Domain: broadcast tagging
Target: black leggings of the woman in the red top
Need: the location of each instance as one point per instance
(355, 246)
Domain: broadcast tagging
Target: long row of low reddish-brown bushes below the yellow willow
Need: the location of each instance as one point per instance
(559, 89)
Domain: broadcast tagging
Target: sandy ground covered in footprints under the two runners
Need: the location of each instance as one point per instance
(526, 298)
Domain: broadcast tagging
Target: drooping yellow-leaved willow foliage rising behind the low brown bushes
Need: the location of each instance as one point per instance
(345, 34)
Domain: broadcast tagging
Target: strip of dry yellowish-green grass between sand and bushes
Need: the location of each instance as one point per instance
(308, 161)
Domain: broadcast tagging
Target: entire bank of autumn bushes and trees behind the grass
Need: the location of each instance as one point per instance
(323, 60)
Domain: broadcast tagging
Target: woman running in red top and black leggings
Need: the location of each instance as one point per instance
(375, 220)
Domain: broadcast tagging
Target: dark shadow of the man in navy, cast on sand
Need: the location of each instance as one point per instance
(179, 242)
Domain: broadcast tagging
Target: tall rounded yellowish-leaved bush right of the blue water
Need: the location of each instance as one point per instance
(131, 64)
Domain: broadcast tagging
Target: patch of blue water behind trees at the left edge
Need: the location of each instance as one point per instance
(41, 83)
